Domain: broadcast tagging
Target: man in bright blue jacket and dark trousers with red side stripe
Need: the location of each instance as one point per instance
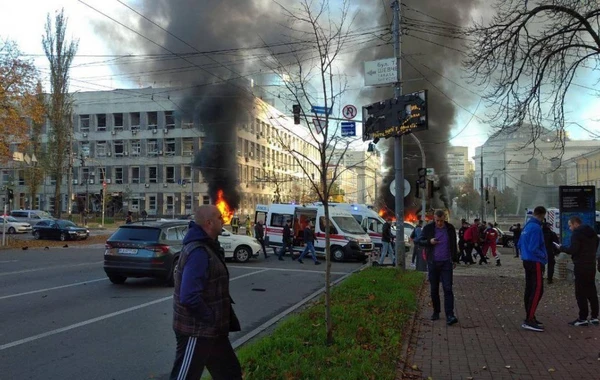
(534, 256)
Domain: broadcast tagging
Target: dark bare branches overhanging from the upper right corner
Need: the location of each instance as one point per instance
(529, 53)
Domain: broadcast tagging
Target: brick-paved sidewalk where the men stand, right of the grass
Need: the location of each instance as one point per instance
(488, 342)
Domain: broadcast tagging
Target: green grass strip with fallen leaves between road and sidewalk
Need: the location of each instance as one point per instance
(369, 309)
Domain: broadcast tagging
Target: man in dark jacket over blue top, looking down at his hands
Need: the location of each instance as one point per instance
(439, 240)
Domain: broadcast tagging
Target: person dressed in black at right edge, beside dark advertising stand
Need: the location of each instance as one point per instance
(584, 243)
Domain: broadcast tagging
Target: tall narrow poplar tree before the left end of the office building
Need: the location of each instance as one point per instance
(60, 55)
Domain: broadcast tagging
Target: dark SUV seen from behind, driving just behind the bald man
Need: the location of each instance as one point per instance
(145, 249)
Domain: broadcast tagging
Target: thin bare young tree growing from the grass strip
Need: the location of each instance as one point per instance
(325, 31)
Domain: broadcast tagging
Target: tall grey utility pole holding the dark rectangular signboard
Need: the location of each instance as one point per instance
(398, 141)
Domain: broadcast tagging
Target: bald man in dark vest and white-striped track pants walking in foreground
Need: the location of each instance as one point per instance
(202, 311)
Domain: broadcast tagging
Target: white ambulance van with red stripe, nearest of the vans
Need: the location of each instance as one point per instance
(348, 239)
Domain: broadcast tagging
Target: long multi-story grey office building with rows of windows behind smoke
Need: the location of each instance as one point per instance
(139, 144)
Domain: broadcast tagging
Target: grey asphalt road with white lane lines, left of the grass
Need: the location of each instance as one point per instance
(62, 319)
